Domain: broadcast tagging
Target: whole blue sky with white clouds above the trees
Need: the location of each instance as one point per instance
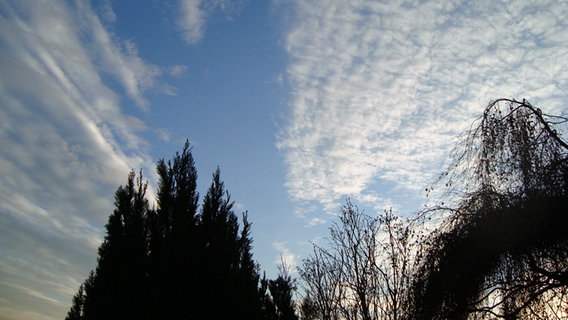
(301, 104)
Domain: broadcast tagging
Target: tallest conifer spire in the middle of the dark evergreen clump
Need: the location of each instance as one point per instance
(173, 235)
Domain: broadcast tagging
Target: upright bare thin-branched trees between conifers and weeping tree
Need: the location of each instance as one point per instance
(363, 271)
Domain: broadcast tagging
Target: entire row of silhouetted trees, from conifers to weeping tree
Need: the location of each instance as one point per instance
(492, 245)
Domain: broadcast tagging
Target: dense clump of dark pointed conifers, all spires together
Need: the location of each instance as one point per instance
(179, 260)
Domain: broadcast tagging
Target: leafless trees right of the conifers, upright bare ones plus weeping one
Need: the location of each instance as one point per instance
(494, 245)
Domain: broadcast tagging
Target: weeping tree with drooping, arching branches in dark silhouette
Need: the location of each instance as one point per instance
(502, 248)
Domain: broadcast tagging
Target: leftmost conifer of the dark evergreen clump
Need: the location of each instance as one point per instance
(116, 289)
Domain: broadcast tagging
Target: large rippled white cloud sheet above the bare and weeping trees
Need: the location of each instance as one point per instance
(380, 89)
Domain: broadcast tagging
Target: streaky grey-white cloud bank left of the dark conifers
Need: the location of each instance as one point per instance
(66, 145)
